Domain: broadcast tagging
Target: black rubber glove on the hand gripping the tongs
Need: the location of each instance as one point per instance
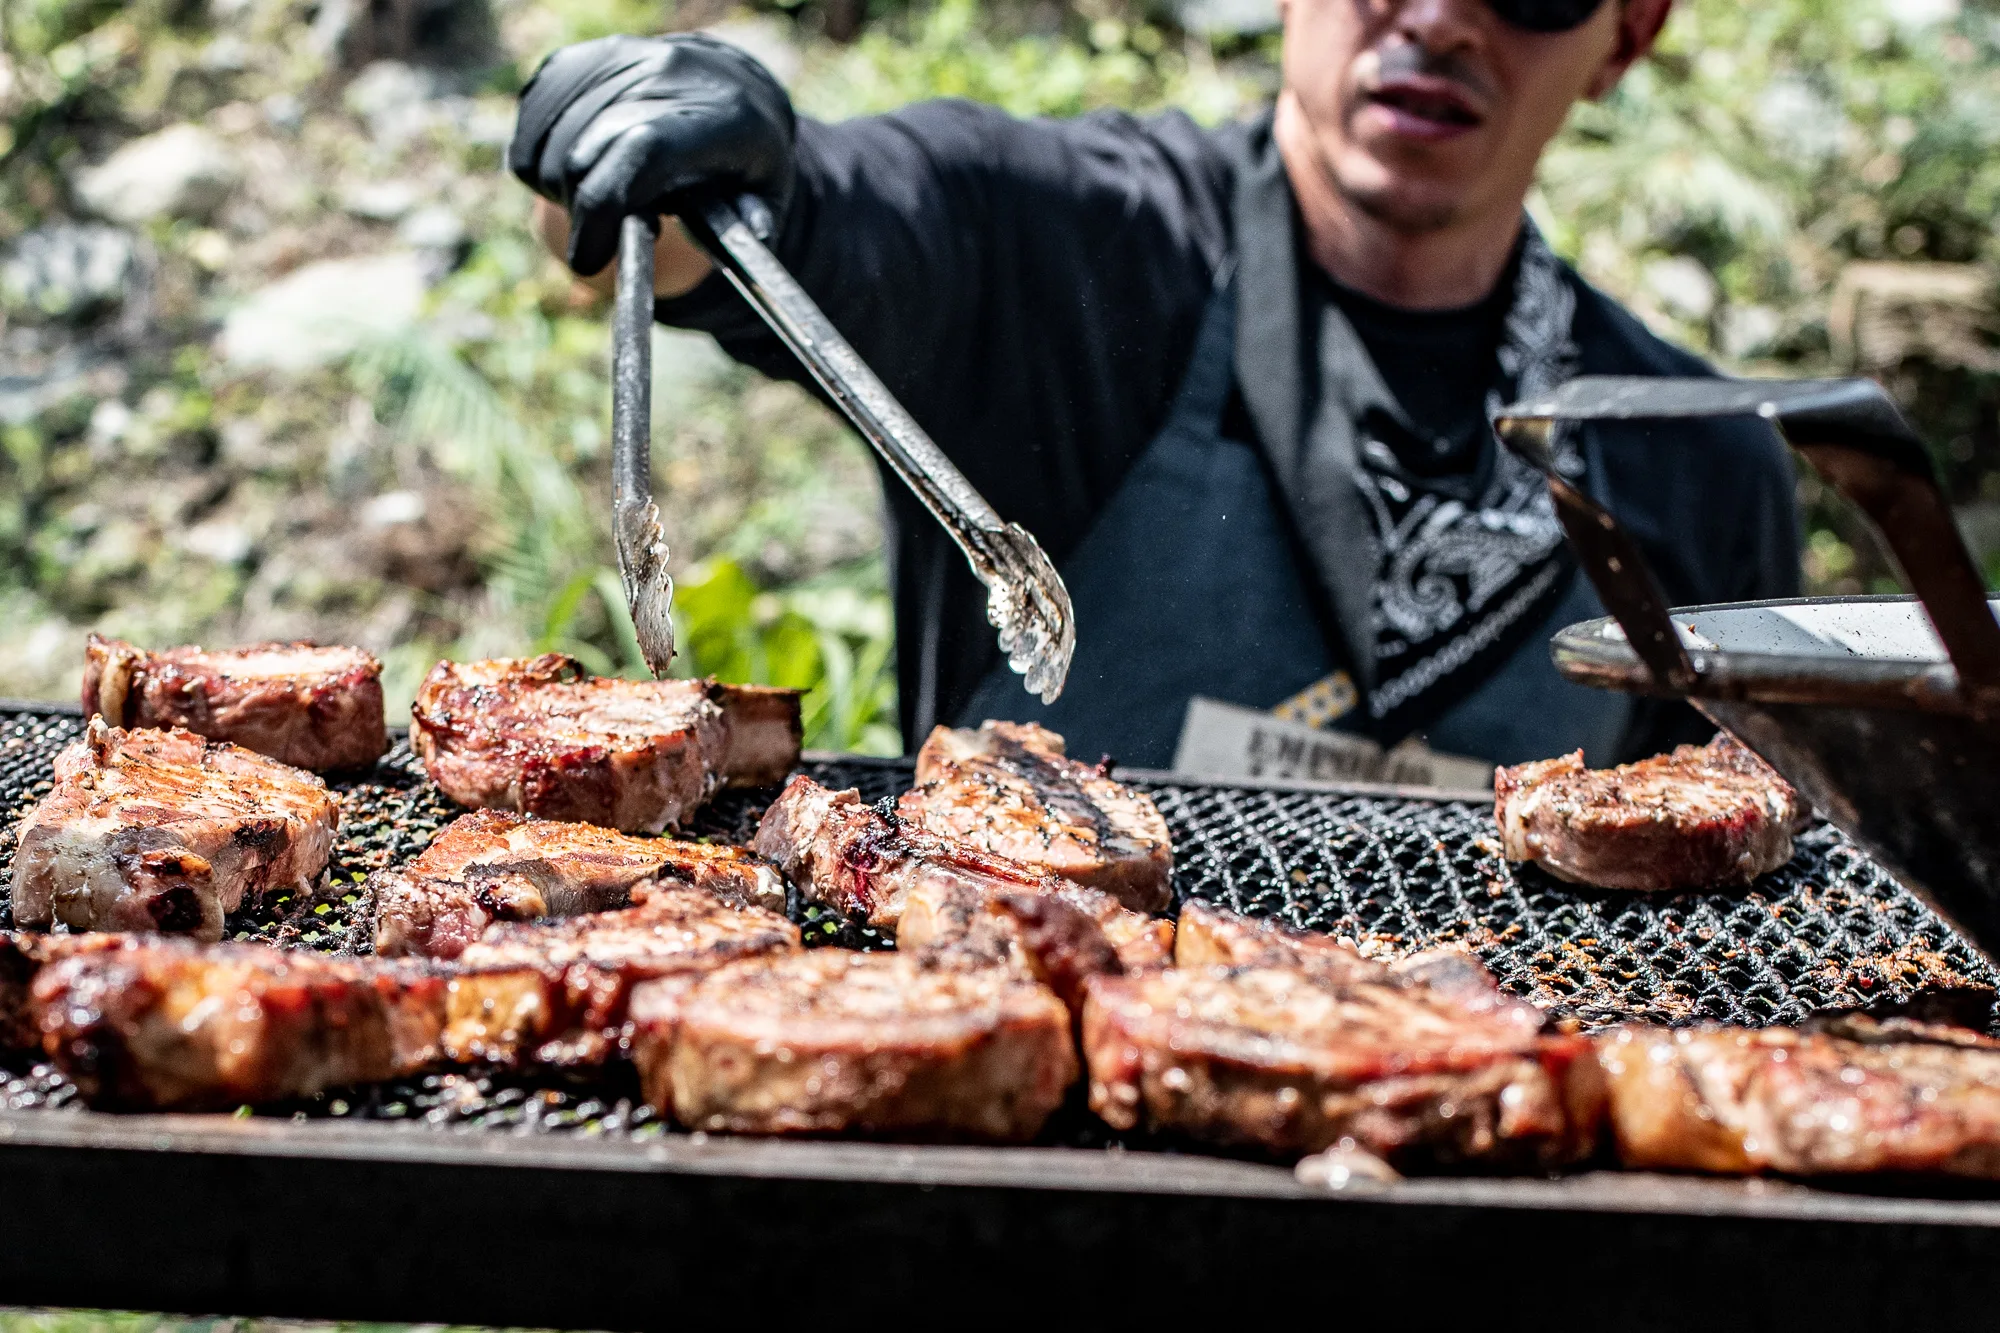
(641, 125)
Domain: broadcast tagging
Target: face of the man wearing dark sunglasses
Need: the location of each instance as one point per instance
(1425, 111)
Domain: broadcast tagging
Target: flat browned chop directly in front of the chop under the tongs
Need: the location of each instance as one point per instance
(493, 866)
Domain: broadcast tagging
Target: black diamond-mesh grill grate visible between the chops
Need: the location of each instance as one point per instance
(1827, 932)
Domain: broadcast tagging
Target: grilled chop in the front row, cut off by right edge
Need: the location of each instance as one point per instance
(1861, 1098)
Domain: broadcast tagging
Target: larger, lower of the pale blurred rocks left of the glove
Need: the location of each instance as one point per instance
(323, 313)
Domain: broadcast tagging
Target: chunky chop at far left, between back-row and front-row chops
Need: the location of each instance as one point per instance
(165, 832)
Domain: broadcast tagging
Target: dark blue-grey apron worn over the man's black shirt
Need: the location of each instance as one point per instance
(1191, 583)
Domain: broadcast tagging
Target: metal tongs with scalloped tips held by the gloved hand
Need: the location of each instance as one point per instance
(1025, 595)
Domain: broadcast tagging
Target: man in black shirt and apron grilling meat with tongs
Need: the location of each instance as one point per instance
(1237, 381)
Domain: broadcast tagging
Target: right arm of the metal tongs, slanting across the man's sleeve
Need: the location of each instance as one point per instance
(1025, 597)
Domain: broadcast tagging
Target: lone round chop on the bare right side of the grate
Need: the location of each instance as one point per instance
(1699, 818)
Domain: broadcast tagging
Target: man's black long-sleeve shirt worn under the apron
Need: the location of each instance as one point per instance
(1031, 291)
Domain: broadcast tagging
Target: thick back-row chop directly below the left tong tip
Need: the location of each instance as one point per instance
(543, 738)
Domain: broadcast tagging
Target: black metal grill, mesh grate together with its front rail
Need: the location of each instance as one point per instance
(1395, 868)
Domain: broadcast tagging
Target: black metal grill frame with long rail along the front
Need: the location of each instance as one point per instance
(929, 1218)
